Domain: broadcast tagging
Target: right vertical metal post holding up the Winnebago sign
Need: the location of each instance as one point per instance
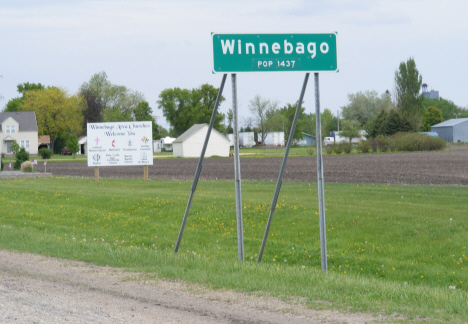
(321, 191)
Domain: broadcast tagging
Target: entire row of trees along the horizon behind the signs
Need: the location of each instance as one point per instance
(61, 115)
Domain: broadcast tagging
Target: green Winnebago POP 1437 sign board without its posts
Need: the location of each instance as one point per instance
(274, 52)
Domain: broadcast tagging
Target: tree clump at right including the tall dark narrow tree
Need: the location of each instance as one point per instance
(406, 110)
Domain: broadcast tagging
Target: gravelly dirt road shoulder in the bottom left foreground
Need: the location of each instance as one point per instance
(48, 290)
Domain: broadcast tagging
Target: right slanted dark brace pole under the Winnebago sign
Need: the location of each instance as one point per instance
(280, 176)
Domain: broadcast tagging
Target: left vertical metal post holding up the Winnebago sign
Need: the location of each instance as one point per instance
(237, 178)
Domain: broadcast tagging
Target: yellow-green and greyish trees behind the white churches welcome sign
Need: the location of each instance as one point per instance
(64, 117)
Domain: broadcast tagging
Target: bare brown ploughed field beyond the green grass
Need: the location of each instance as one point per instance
(438, 168)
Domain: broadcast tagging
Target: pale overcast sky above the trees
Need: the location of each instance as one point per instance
(151, 45)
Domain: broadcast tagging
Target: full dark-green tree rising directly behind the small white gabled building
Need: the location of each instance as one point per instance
(184, 108)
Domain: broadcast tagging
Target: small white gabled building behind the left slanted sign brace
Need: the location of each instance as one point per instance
(190, 143)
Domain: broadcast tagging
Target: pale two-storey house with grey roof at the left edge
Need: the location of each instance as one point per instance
(19, 126)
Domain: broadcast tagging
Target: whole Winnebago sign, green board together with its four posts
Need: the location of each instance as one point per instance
(269, 53)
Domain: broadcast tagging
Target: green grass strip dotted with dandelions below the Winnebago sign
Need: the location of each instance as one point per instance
(391, 249)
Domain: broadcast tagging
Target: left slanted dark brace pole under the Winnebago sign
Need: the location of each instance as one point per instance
(200, 163)
